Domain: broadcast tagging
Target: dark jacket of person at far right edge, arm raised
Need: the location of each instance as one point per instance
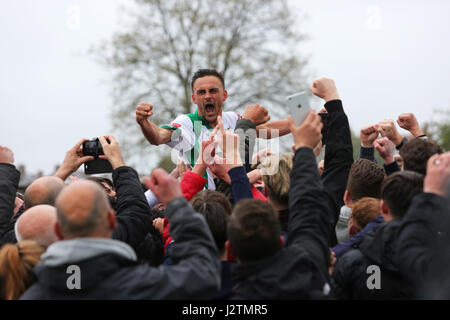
(424, 246)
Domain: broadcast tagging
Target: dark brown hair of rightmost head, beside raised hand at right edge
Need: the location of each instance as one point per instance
(416, 152)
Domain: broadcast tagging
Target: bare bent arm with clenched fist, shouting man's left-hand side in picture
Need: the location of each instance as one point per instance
(154, 134)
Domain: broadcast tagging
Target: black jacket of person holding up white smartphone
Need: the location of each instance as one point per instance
(298, 271)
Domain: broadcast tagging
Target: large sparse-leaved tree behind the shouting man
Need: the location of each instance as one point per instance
(253, 42)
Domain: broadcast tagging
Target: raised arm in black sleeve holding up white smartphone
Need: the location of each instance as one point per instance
(309, 211)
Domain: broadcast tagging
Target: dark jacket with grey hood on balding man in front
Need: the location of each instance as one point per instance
(194, 275)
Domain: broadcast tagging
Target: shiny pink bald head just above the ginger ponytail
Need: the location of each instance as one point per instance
(38, 224)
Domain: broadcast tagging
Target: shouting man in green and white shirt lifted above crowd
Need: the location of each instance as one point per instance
(186, 132)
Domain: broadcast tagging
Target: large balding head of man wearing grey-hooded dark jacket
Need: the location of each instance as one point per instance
(83, 211)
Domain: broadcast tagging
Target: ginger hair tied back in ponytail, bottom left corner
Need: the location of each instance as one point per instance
(16, 264)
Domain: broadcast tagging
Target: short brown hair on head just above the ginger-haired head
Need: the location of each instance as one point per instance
(364, 179)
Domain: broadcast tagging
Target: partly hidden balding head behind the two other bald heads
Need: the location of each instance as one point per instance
(44, 190)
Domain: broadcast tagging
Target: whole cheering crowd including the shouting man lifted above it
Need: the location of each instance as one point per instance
(231, 223)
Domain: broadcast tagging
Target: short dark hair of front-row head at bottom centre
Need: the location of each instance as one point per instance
(254, 230)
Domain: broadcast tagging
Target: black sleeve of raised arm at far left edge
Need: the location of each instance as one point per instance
(9, 182)
